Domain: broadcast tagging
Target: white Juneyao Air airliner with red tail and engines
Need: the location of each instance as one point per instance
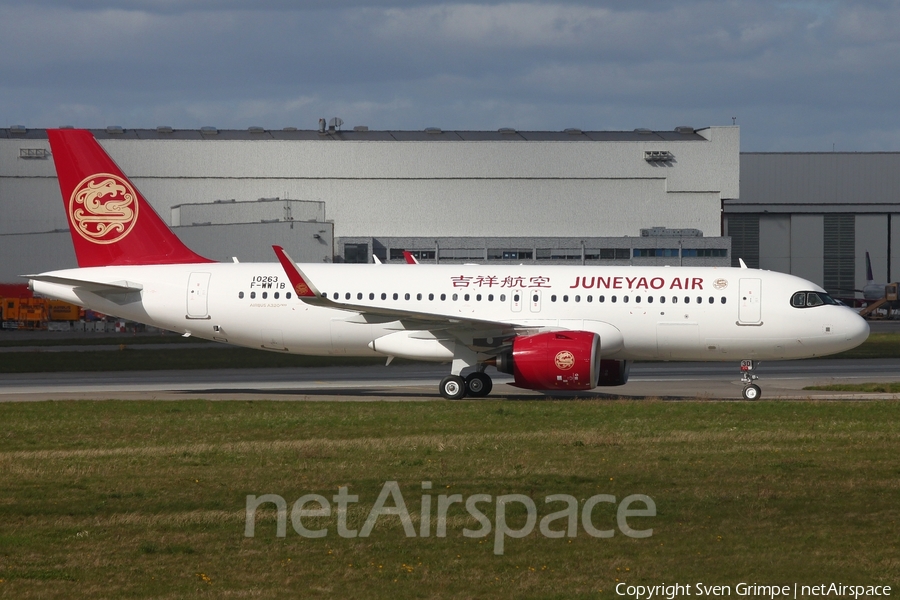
(551, 327)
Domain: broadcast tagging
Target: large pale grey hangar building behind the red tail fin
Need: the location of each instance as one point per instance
(572, 197)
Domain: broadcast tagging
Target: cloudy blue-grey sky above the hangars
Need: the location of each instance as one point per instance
(796, 76)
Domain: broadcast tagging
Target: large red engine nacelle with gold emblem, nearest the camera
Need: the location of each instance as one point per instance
(559, 360)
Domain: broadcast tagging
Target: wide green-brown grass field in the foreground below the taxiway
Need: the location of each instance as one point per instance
(147, 499)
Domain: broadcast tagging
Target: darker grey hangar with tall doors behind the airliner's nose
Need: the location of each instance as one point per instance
(816, 215)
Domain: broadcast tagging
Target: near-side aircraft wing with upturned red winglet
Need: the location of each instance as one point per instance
(464, 329)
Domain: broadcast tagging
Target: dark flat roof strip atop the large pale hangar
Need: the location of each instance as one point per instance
(361, 134)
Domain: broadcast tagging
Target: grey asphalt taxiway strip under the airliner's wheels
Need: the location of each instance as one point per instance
(667, 380)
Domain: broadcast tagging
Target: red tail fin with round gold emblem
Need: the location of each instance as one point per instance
(110, 222)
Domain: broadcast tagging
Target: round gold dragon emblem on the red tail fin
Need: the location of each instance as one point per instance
(103, 208)
